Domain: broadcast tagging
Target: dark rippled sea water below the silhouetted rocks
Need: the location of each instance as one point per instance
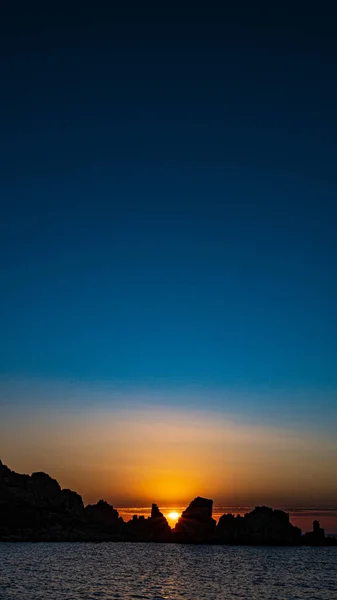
(165, 571)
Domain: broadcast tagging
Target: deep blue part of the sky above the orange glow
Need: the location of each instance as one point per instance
(168, 206)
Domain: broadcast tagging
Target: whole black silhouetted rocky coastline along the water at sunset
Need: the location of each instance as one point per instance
(35, 508)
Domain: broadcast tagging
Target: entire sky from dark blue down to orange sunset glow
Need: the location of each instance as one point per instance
(168, 254)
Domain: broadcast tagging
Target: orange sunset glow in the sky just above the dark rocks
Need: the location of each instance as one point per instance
(137, 457)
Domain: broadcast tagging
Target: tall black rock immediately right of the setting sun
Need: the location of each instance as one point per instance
(196, 523)
